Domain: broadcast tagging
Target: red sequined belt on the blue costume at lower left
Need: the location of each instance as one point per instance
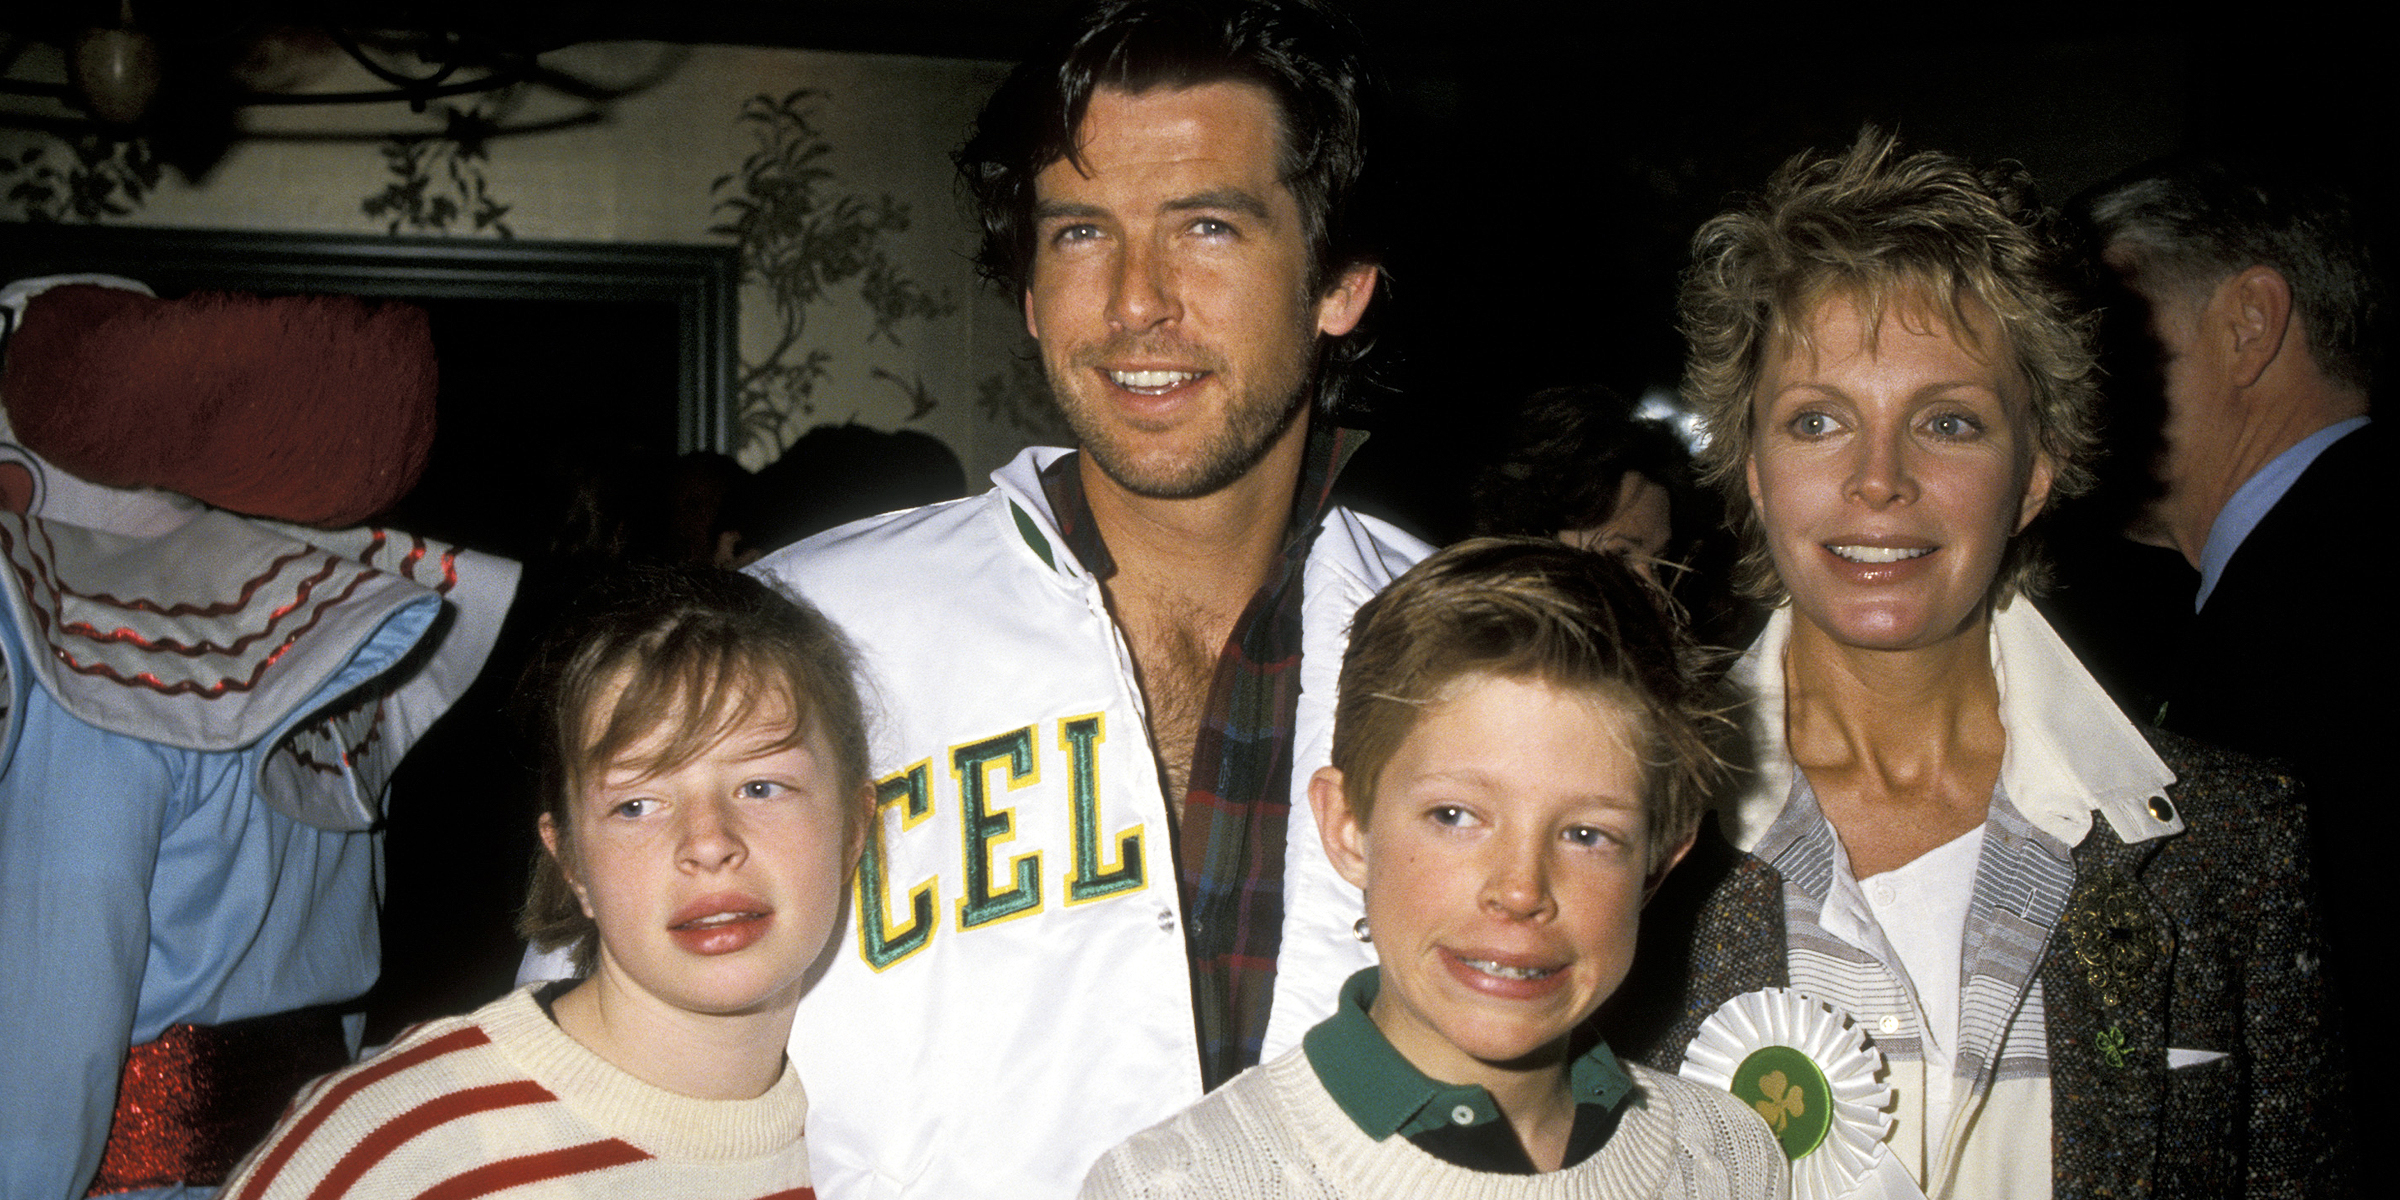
(193, 1103)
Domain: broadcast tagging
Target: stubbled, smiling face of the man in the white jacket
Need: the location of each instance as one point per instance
(1170, 289)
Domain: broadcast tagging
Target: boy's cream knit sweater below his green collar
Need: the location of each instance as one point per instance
(1276, 1134)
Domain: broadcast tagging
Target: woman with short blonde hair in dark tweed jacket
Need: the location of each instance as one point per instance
(2082, 952)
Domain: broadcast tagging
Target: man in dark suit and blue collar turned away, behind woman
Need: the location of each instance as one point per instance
(2274, 488)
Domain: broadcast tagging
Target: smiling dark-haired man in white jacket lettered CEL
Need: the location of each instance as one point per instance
(1108, 680)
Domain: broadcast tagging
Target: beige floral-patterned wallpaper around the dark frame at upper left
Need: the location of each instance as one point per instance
(829, 172)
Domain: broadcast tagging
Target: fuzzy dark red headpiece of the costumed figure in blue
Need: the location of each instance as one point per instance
(311, 409)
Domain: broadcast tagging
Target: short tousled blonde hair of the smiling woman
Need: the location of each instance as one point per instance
(1885, 229)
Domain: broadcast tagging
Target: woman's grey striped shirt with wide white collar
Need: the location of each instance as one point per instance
(2072, 760)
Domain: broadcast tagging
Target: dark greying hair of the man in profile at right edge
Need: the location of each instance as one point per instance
(2195, 222)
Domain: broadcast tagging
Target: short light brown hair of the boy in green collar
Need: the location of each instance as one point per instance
(1530, 608)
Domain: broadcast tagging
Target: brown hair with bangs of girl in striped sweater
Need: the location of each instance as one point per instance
(692, 652)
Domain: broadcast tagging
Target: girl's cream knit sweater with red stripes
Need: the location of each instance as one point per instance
(503, 1100)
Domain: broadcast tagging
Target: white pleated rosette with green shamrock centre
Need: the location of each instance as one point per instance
(1811, 1074)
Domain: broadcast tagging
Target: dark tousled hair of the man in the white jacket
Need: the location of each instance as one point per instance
(1304, 54)
